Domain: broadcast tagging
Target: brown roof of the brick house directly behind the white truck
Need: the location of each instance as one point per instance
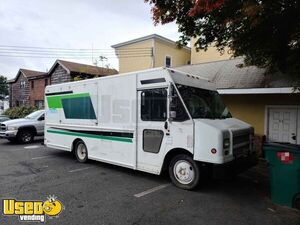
(83, 68)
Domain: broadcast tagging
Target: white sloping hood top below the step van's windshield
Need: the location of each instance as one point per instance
(224, 124)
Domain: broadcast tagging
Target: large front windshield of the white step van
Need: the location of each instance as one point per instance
(203, 103)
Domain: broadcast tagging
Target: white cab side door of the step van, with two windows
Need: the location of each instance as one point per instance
(153, 128)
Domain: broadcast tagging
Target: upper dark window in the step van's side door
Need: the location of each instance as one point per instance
(154, 105)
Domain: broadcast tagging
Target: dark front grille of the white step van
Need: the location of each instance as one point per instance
(241, 142)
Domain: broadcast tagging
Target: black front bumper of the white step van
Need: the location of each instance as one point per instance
(236, 166)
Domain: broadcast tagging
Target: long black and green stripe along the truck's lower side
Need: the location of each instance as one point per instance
(78, 134)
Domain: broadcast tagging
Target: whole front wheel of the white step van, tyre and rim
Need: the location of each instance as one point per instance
(184, 172)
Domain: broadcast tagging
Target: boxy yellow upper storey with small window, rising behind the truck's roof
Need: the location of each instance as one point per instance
(150, 52)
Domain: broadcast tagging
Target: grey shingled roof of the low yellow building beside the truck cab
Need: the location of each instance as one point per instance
(230, 74)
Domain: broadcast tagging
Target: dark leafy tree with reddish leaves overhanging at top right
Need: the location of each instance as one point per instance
(265, 32)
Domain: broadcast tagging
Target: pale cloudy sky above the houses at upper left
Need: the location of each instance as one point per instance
(71, 24)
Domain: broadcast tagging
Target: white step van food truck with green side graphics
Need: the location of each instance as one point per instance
(152, 120)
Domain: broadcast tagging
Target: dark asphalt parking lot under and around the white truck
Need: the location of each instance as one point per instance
(98, 193)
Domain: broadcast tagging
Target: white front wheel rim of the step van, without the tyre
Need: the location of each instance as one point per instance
(184, 172)
